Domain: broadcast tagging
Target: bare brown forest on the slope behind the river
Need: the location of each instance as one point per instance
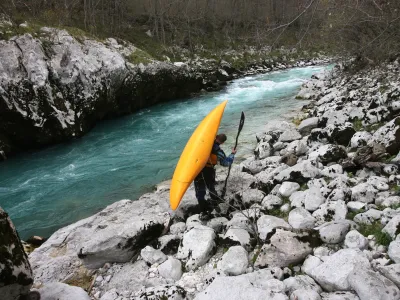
(366, 28)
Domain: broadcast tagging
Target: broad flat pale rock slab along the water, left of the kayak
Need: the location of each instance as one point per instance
(117, 233)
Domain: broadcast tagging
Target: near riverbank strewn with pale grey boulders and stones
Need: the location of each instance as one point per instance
(313, 215)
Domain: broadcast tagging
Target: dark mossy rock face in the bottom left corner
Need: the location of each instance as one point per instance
(15, 271)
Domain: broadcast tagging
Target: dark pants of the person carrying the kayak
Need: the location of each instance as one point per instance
(205, 180)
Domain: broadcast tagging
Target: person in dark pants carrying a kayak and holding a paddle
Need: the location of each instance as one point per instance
(206, 178)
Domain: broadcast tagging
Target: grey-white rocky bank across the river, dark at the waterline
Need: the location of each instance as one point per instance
(55, 86)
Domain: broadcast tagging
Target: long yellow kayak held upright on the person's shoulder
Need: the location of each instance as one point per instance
(195, 155)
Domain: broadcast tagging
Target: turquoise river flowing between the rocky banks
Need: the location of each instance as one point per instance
(124, 158)
